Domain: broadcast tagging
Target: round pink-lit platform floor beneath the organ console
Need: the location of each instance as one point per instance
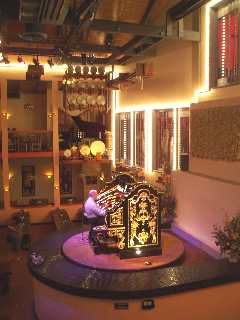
(78, 250)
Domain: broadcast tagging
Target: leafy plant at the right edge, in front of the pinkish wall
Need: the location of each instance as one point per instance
(227, 238)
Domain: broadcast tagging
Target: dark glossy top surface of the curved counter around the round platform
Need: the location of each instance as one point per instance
(57, 272)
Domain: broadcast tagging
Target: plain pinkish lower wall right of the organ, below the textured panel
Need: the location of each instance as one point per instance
(203, 202)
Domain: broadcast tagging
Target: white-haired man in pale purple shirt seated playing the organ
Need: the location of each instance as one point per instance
(94, 214)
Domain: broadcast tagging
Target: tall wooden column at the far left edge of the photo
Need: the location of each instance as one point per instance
(5, 164)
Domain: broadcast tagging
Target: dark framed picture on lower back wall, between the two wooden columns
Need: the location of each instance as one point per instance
(28, 181)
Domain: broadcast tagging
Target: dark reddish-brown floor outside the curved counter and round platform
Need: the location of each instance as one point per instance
(18, 303)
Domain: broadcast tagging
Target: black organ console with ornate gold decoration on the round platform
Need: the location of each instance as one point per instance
(133, 219)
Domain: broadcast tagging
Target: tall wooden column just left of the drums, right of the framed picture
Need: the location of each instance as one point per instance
(55, 97)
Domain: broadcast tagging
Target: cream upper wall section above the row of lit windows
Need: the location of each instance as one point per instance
(174, 77)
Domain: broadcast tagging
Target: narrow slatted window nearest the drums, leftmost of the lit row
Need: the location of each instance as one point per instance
(123, 130)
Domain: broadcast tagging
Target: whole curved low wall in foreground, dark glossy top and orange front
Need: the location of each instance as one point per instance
(64, 290)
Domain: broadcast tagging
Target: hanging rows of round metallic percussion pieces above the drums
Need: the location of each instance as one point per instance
(85, 89)
